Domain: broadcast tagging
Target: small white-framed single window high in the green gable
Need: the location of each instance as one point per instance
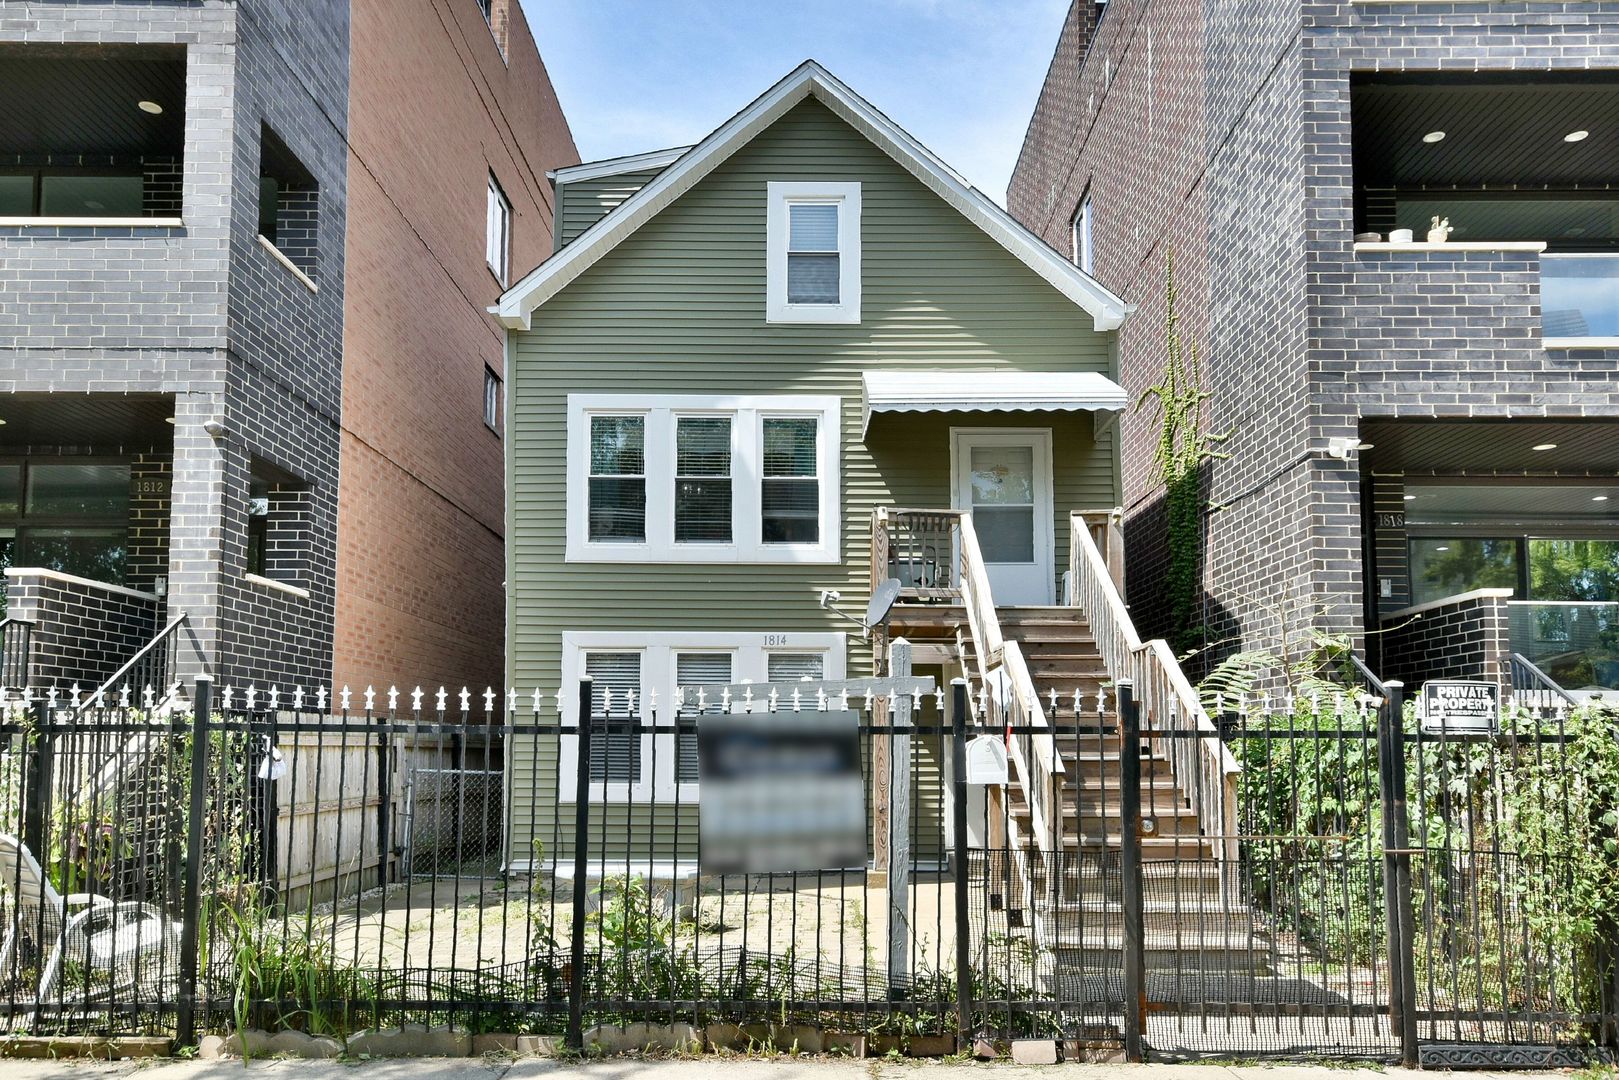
(812, 253)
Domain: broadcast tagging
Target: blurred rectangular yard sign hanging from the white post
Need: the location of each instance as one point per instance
(781, 793)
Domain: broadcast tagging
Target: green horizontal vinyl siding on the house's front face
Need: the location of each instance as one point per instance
(679, 308)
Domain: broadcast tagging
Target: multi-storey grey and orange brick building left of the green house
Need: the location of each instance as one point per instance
(205, 223)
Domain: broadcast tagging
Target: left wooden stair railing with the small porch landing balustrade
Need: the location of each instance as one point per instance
(937, 558)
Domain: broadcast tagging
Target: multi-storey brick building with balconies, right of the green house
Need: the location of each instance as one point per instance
(1417, 430)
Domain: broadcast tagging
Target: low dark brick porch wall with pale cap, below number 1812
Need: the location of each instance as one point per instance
(82, 632)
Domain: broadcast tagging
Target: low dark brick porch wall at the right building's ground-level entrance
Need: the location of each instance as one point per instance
(1461, 639)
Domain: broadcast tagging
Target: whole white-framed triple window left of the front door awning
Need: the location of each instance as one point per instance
(749, 480)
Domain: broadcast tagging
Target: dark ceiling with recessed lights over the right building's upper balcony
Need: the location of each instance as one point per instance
(1497, 132)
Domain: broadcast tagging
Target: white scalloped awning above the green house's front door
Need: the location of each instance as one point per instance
(988, 393)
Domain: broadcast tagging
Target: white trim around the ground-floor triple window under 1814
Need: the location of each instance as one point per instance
(658, 650)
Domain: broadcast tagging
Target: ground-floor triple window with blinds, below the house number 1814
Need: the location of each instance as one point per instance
(637, 749)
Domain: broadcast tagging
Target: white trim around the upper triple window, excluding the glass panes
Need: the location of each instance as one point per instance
(747, 467)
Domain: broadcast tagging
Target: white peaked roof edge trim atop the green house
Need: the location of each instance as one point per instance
(807, 80)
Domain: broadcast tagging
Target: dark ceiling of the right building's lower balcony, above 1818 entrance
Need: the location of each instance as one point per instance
(1492, 448)
